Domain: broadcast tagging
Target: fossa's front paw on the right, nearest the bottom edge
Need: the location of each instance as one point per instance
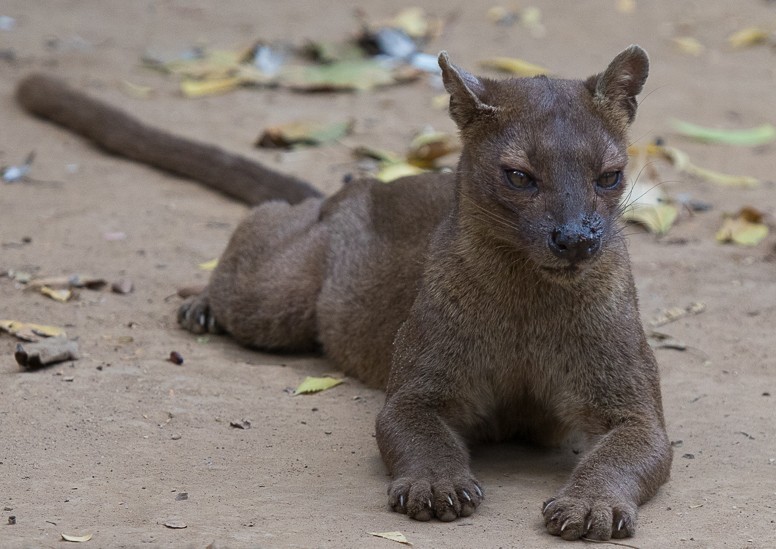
(599, 518)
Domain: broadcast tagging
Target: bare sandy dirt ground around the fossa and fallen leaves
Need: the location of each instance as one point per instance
(108, 444)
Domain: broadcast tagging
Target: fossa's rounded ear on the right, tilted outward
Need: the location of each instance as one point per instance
(616, 88)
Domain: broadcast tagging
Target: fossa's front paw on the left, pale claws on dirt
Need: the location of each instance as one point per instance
(446, 499)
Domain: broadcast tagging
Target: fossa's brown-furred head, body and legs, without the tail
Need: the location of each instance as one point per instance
(487, 309)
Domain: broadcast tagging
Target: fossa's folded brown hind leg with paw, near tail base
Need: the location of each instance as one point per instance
(266, 284)
